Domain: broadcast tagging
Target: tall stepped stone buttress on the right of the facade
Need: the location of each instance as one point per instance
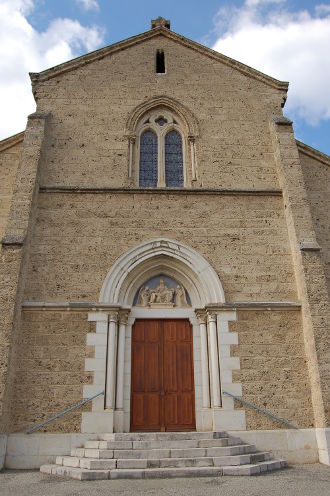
(308, 266)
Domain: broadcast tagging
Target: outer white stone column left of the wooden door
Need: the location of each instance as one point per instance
(111, 361)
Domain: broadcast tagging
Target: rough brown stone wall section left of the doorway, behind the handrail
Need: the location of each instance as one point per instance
(50, 369)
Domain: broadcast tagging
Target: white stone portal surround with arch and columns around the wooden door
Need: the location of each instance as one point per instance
(211, 337)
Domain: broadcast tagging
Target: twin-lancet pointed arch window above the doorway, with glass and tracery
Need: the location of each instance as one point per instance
(160, 151)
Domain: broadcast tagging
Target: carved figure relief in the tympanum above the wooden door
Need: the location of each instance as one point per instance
(162, 296)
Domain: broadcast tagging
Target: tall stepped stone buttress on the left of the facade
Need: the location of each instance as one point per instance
(14, 252)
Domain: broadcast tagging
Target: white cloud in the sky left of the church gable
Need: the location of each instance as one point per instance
(23, 49)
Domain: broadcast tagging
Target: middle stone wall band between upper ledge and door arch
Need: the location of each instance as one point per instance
(78, 237)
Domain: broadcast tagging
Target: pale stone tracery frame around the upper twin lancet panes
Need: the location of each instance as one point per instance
(148, 122)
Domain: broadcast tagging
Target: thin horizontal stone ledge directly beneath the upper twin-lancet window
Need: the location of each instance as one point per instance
(154, 191)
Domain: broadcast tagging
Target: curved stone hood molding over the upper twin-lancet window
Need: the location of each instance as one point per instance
(165, 102)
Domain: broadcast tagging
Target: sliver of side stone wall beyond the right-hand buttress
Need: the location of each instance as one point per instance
(317, 178)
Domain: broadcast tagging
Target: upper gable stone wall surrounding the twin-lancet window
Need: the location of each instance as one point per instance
(90, 107)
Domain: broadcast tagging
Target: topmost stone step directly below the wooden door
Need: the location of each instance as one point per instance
(161, 436)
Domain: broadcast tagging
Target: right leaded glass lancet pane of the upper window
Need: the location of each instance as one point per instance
(173, 160)
